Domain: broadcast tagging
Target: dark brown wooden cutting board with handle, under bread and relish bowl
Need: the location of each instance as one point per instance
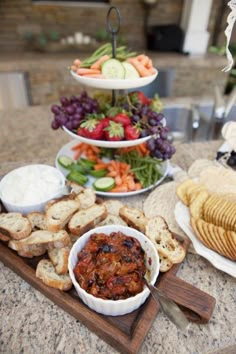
(125, 333)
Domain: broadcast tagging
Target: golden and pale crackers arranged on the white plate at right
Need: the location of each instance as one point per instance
(212, 213)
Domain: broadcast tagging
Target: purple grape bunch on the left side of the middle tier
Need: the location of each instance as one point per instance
(73, 110)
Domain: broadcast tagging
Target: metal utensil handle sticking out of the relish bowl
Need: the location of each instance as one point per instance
(169, 307)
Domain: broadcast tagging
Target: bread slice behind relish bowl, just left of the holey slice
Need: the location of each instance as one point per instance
(134, 218)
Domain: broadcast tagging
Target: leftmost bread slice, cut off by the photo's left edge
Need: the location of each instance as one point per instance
(14, 225)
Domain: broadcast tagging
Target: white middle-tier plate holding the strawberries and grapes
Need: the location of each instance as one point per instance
(104, 143)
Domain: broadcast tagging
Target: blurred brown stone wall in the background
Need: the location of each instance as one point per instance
(16, 15)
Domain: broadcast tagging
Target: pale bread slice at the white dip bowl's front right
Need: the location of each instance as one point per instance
(58, 215)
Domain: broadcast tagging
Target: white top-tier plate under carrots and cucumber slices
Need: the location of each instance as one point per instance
(111, 84)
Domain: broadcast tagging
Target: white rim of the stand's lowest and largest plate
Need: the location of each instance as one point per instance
(68, 146)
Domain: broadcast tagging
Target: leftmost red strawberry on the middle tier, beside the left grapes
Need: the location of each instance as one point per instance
(91, 129)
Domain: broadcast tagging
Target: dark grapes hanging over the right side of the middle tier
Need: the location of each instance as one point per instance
(153, 123)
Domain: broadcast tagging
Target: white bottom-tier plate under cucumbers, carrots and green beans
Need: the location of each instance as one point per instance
(66, 150)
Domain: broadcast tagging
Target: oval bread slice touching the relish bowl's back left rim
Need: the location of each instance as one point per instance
(86, 219)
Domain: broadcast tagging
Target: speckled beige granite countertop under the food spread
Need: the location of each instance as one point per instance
(32, 323)
